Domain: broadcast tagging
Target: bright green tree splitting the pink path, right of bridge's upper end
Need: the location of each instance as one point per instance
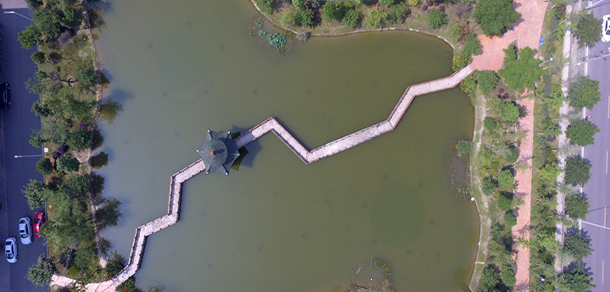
(520, 72)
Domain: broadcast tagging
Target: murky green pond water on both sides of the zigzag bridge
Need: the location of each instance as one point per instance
(276, 224)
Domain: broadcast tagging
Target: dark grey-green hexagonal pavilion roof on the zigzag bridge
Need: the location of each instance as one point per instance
(218, 152)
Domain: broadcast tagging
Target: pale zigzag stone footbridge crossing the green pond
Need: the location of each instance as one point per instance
(269, 125)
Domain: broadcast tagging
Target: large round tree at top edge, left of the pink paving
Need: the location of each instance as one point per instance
(495, 16)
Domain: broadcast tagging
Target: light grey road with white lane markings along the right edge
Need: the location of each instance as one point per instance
(598, 187)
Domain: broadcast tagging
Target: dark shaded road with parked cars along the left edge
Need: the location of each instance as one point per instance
(17, 122)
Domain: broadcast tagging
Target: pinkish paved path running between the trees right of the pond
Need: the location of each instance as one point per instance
(526, 32)
